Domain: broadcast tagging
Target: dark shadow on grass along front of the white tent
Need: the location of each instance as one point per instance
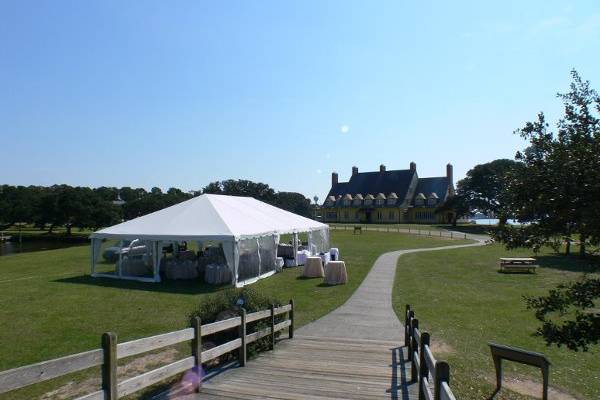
(191, 287)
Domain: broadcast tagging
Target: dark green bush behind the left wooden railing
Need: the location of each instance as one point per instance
(228, 304)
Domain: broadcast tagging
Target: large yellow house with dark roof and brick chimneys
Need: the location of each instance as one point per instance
(388, 197)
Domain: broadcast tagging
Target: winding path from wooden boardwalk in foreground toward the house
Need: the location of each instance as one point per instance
(354, 352)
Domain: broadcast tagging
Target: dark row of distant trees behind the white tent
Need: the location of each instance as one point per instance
(49, 207)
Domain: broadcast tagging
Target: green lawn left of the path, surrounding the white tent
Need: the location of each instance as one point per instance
(51, 307)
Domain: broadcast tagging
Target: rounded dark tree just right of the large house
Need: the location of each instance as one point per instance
(484, 188)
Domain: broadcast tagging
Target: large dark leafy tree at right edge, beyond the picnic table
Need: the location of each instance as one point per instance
(558, 190)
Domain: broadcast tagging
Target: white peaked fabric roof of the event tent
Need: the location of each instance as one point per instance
(211, 216)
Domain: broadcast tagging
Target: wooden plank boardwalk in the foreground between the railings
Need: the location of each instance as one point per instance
(318, 368)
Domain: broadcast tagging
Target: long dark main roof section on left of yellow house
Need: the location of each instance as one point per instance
(386, 182)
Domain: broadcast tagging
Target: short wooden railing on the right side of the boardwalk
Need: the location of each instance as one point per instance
(424, 367)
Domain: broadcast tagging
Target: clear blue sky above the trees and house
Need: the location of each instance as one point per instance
(183, 93)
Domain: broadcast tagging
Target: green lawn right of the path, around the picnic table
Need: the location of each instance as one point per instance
(461, 299)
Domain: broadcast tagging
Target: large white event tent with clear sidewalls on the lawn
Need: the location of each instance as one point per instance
(248, 230)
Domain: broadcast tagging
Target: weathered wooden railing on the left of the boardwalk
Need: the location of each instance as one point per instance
(111, 351)
